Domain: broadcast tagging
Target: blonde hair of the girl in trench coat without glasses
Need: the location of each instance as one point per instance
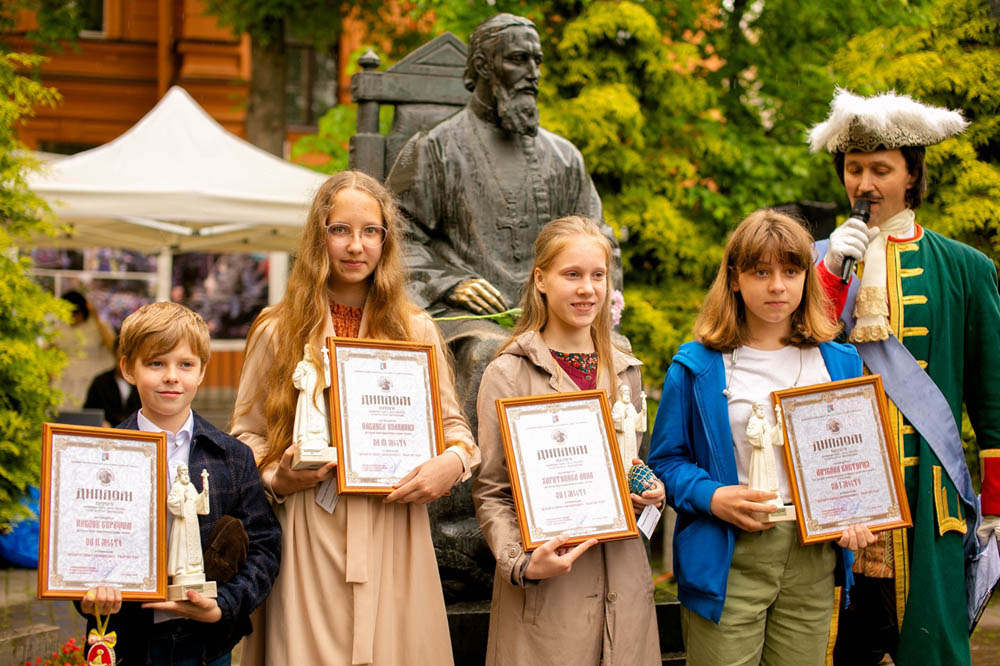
(550, 242)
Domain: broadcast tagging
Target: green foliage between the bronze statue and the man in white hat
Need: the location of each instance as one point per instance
(691, 115)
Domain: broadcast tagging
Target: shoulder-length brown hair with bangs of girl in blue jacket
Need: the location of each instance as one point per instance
(765, 235)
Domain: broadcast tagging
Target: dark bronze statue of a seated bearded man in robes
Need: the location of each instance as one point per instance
(479, 186)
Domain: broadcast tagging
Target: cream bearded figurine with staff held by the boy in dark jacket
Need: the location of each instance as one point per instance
(186, 503)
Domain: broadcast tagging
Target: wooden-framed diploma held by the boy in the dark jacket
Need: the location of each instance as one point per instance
(103, 512)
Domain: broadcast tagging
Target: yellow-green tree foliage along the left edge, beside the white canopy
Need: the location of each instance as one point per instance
(27, 363)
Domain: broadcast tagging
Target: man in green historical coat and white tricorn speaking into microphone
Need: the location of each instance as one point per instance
(925, 313)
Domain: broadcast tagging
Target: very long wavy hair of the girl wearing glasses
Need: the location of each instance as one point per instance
(299, 318)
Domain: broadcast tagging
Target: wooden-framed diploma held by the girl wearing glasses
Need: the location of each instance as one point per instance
(385, 411)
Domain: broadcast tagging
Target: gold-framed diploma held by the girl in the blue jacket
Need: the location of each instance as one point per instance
(842, 459)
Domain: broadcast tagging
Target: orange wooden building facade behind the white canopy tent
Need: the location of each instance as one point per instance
(117, 71)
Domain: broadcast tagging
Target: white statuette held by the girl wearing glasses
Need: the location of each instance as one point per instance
(311, 431)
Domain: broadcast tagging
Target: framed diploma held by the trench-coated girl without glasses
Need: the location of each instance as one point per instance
(565, 472)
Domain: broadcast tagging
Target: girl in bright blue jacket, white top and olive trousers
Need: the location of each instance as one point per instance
(751, 594)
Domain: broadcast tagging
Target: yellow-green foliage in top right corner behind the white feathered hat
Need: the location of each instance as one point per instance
(961, 46)
